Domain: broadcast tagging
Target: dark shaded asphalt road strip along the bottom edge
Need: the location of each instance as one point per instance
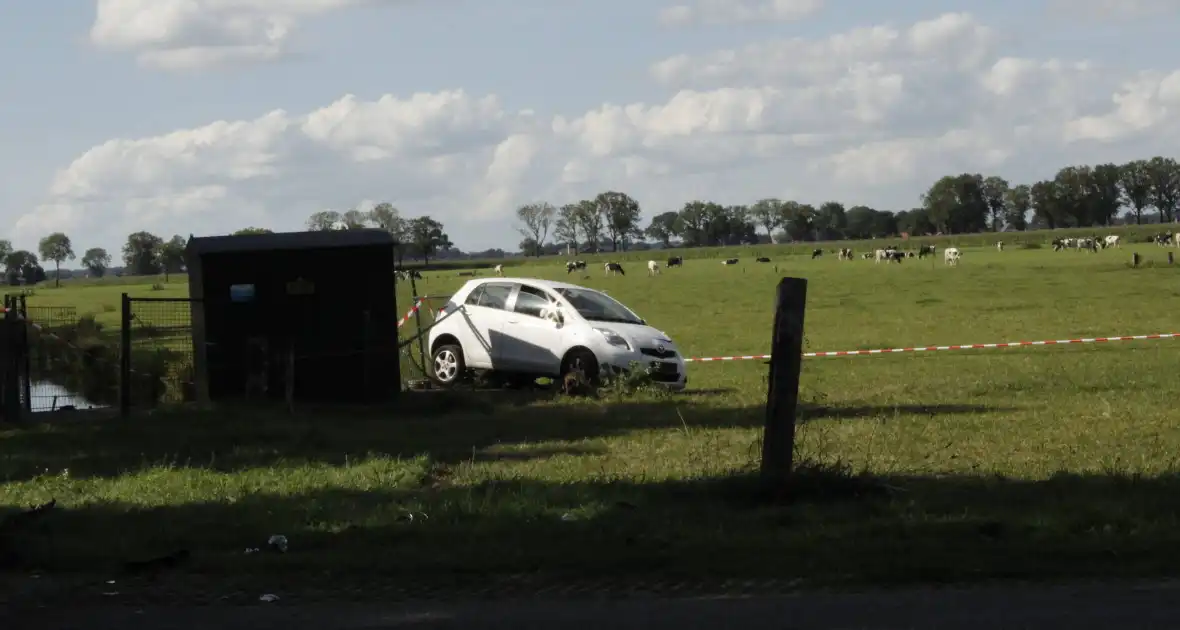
(1007, 608)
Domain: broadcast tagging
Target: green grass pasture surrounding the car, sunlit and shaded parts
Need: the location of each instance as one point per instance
(1039, 462)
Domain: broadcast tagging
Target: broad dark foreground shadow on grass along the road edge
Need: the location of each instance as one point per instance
(841, 529)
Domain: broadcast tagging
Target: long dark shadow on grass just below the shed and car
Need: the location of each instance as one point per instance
(448, 428)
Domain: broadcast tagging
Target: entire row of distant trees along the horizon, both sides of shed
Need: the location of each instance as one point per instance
(1076, 198)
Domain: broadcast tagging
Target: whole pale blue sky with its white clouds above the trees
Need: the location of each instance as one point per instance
(128, 115)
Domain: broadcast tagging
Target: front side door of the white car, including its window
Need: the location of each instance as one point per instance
(530, 343)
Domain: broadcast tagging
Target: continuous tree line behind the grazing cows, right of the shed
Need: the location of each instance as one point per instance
(967, 204)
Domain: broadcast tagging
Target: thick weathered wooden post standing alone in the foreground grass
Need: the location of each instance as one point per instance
(783, 396)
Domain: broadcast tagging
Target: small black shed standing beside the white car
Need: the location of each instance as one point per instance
(319, 305)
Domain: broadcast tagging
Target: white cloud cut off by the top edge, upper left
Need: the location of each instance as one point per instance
(189, 35)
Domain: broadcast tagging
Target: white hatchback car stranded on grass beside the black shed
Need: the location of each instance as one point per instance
(530, 329)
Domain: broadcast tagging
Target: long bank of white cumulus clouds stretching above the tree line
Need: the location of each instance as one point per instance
(869, 116)
